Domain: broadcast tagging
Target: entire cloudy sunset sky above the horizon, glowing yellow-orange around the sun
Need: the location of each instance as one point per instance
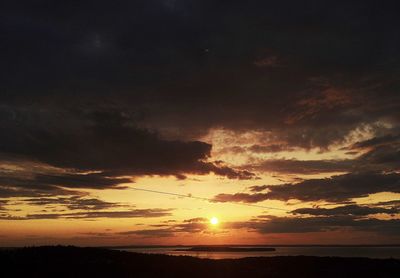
(136, 122)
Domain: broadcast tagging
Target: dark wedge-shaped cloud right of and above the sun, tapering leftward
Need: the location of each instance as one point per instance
(335, 189)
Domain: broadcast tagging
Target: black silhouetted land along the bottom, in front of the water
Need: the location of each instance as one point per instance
(94, 262)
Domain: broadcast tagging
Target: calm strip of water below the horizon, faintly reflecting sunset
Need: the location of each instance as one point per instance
(370, 252)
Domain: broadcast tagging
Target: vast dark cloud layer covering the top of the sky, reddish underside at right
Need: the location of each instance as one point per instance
(177, 65)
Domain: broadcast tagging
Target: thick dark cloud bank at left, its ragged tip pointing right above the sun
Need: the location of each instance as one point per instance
(110, 144)
